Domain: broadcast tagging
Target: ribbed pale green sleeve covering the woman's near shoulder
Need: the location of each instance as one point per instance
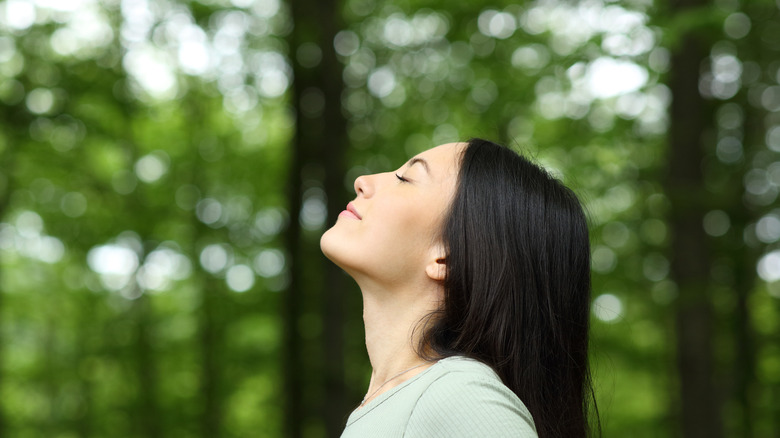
(454, 407)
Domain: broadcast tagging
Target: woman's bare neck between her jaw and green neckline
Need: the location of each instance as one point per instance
(393, 330)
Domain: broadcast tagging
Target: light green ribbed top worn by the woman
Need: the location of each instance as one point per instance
(456, 397)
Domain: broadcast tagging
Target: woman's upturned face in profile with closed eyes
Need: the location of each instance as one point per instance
(391, 230)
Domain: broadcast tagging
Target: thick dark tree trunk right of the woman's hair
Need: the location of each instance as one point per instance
(691, 264)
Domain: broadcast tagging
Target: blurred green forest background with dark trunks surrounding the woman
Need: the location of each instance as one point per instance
(167, 168)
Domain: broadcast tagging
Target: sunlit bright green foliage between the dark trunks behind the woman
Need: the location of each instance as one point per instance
(149, 154)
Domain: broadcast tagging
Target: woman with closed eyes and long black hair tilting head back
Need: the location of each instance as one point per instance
(474, 266)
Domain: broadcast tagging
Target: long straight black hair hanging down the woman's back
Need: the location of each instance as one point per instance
(517, 286)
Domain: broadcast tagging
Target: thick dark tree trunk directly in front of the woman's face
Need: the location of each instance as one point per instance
(317, 154)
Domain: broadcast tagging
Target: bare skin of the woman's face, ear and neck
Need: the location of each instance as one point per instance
(395, 255)
